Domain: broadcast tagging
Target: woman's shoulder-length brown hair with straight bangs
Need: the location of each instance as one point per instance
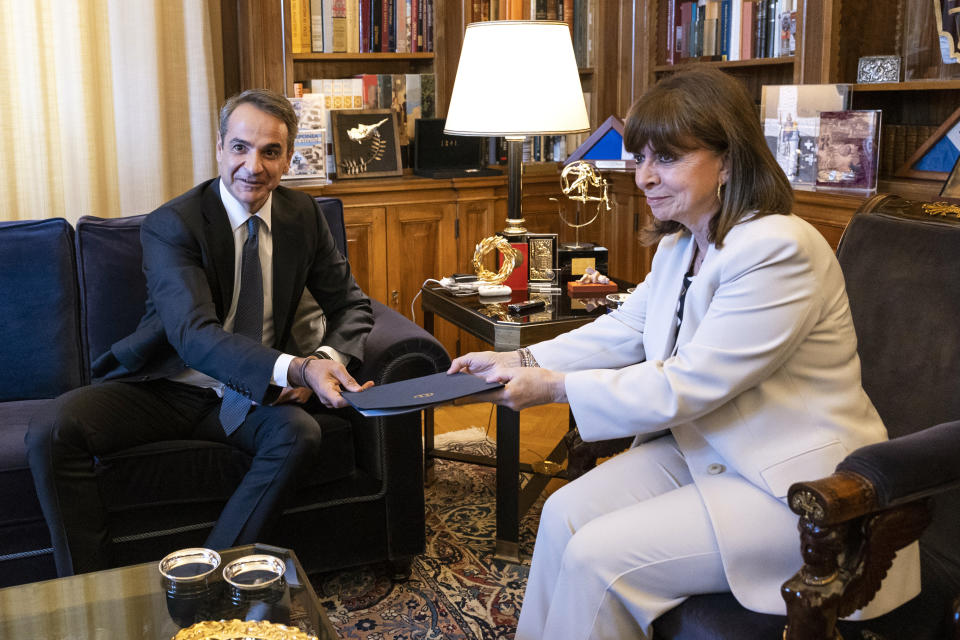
(702, 108)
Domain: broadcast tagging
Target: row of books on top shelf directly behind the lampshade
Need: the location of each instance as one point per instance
(578, 14)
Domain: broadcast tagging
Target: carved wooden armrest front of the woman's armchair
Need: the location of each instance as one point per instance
(848, 543)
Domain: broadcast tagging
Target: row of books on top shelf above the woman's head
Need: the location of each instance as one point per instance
(729, 29)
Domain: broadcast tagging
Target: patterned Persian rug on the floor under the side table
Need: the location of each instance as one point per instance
(457, 590)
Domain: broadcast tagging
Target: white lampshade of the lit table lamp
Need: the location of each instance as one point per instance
(516, 78)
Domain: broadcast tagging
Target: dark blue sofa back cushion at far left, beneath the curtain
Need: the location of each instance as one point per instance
(40, 332)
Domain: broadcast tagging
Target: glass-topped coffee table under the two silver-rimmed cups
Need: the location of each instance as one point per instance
(131, 603)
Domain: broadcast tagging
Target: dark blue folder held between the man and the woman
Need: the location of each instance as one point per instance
(417, 393)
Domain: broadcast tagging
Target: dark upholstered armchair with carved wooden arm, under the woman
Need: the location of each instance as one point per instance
(899, 260)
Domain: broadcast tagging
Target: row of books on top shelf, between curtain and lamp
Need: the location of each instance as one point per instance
(361, 26)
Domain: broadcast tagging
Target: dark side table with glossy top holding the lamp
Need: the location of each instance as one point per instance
(489, 321)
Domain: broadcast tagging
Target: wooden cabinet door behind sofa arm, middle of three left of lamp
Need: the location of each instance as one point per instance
(420, 245)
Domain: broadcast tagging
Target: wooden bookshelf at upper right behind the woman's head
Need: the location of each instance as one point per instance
(831, 37)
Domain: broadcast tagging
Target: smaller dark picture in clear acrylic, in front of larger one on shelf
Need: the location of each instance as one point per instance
(847, 149)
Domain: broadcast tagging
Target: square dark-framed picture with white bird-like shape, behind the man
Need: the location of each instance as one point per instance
(366, 144)
